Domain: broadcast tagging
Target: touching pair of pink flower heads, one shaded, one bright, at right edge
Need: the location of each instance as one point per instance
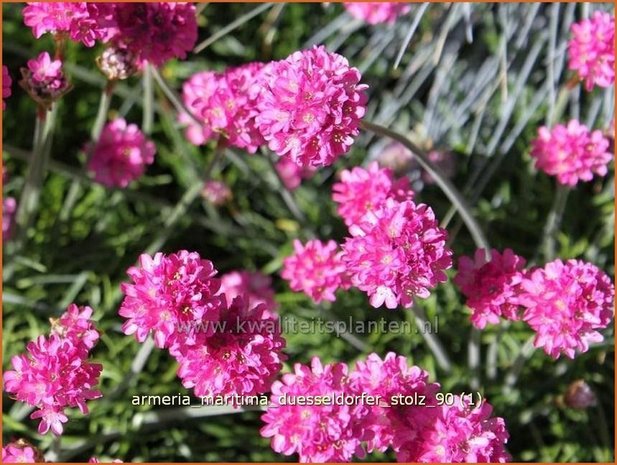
(565, 303)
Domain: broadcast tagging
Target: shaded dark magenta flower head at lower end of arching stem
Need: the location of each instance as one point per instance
(491, 285)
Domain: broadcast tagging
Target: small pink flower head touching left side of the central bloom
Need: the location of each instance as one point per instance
(316, 269)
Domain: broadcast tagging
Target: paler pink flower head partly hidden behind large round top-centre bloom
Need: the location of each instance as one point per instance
(226, 104)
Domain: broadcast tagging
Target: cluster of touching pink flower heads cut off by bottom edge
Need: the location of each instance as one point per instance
(334, 431)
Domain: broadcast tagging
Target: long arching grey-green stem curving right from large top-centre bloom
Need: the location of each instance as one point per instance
(442, 181)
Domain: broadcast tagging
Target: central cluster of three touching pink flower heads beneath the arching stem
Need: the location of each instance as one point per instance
(396, 251)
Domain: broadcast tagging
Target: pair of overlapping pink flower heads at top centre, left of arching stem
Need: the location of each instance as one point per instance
(306, 108)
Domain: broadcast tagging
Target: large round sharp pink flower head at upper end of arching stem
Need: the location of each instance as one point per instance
(311, 106)
